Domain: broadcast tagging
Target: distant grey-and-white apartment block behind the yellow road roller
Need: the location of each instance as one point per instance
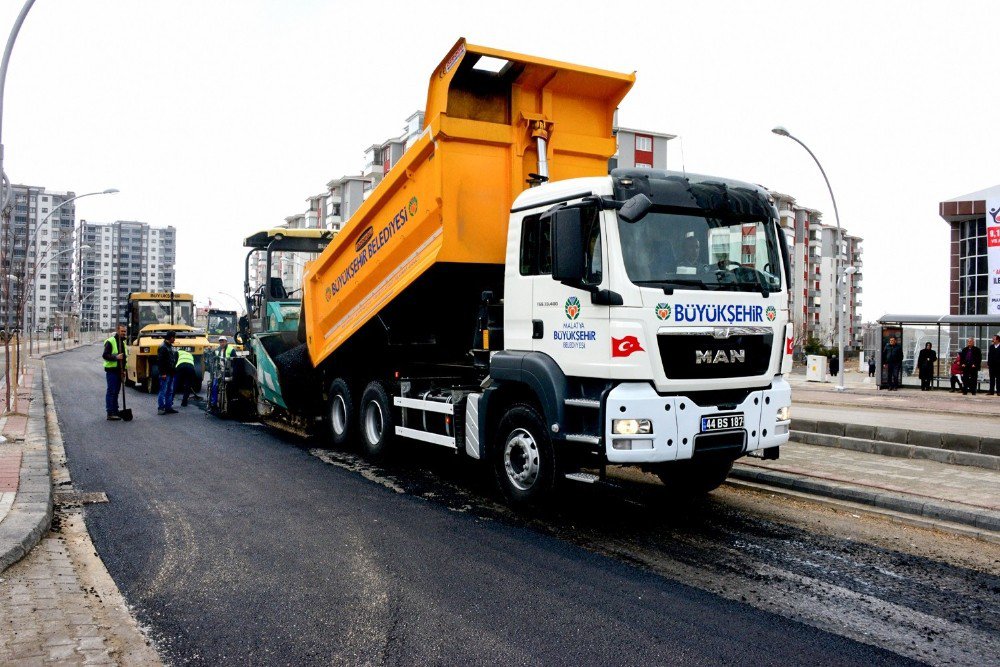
(123, 256)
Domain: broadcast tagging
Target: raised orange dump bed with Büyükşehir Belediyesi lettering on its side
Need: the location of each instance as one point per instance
(447, 201)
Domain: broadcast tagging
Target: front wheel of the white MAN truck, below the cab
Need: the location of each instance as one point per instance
(523, 457)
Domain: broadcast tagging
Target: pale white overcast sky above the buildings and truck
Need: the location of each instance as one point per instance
(221, 117)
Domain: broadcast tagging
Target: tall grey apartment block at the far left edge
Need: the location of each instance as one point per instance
(39, 218)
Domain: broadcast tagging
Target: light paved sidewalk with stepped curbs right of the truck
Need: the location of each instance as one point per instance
(891, 450)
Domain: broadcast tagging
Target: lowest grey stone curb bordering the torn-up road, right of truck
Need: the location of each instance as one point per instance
(931, 509)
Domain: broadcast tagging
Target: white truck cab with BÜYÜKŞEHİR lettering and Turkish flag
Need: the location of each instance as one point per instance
(659, 303)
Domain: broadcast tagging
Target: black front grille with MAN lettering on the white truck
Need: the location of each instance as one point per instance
(704, 356)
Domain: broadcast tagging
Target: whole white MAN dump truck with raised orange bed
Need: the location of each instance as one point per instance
(500, 294)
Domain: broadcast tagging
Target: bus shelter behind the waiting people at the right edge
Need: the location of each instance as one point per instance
(946, 334)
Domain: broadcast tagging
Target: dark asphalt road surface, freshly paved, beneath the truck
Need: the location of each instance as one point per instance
(237, 545)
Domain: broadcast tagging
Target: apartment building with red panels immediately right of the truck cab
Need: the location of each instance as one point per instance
(813, 301)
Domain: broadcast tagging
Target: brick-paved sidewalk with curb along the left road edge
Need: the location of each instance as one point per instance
(57, 602)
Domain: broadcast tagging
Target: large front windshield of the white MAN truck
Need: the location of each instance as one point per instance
(691, 252)
